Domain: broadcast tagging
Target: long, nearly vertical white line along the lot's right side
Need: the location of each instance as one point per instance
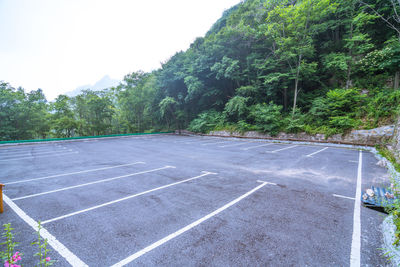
(355, 255)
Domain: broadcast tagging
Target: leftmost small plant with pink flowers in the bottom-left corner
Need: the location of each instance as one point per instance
(9, 257)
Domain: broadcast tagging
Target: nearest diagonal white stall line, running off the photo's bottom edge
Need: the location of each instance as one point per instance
(184, 229)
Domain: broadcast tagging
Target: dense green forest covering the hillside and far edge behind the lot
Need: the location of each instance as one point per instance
(315, 66)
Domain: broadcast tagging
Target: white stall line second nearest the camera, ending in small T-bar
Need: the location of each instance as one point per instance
(126, 198)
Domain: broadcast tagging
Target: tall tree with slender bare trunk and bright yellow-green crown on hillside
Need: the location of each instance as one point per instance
(292, 26)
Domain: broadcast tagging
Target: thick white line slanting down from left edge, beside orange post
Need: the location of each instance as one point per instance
(57, 245)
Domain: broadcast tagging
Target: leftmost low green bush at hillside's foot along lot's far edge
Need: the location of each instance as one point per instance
(206, 121)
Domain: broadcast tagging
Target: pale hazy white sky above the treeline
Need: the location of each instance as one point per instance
(58, 45)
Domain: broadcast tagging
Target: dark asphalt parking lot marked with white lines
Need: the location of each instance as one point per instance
(175, 200)
